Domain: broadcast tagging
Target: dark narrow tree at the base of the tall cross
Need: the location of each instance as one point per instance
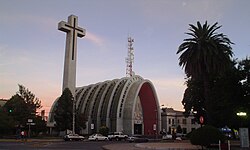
(63, 112)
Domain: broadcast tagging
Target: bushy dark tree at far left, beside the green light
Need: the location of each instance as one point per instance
(21, 107)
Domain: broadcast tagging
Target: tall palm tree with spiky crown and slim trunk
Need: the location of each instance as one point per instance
(205, 55)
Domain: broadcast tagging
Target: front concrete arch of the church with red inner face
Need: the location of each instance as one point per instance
(146, 93)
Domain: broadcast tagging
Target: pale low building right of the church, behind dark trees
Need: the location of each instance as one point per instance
(171, 119)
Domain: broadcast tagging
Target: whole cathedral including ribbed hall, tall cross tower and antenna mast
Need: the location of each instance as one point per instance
(129, 105)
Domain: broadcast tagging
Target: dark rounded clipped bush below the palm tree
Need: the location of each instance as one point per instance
(206, 136)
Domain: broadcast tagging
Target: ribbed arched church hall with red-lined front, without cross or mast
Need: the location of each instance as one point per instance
(129, 105)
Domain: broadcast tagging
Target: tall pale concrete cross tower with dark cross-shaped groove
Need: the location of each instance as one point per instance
(73, 31)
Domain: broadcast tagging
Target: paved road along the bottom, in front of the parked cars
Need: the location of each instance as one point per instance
(96, 145)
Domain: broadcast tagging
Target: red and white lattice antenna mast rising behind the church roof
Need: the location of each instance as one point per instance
(130, 58)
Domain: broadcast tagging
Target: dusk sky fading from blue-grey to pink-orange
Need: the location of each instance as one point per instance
(32, 48)
